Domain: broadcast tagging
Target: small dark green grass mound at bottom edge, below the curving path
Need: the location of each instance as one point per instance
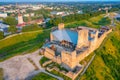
(43, 76)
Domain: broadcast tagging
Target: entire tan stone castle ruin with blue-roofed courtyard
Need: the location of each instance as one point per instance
(70, 46)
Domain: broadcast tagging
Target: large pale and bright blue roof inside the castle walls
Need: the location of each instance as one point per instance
(66, 34)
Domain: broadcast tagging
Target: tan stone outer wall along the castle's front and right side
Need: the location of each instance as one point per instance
(70, 60)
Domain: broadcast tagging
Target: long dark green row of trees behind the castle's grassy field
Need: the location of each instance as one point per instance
(73, 17)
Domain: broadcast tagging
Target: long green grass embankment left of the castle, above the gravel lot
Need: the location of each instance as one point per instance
(22, 43)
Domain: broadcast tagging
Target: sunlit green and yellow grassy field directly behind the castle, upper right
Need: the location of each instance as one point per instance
(94, 22)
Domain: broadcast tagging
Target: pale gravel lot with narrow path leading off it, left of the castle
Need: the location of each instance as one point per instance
(20, 68)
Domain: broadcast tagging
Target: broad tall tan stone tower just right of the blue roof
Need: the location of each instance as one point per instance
(82, 38)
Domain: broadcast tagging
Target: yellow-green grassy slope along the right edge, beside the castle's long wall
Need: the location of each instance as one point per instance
(107, 61)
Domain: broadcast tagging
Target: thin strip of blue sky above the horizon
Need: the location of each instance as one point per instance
(50, 0)
